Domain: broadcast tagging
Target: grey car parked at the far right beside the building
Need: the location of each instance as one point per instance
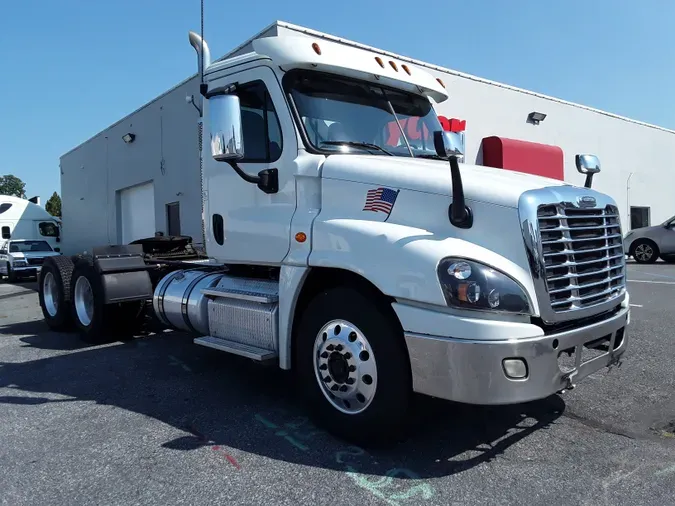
(647, 244)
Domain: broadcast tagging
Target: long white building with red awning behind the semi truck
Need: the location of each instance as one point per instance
(117, 187)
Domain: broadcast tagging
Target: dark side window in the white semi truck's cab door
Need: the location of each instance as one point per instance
(260, 124)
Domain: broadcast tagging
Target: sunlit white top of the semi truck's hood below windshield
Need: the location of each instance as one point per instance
(481, 184)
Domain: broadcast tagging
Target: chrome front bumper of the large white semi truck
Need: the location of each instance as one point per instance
(473, 372)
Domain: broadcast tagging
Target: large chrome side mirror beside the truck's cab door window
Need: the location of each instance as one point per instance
(227, 141)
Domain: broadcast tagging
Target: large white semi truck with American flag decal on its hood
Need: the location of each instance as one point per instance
(372, 269)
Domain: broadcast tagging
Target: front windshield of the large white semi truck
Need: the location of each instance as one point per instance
(338, 113)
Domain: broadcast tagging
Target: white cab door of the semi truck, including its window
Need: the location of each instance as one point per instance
(242, 223)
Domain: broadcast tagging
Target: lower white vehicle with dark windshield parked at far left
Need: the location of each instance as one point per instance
(23, 257)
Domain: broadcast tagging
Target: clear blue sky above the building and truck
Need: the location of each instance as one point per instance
(70, 68)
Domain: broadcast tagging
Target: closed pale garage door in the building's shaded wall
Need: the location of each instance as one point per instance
(137, 212)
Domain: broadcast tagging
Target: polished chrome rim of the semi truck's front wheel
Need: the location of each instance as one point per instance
(345, 367)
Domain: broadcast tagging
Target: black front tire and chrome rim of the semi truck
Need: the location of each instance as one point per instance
(353, 367)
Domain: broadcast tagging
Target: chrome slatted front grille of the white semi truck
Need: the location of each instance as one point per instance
(582, 253)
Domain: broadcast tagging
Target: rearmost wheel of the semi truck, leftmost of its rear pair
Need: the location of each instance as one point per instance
(54, 292)
